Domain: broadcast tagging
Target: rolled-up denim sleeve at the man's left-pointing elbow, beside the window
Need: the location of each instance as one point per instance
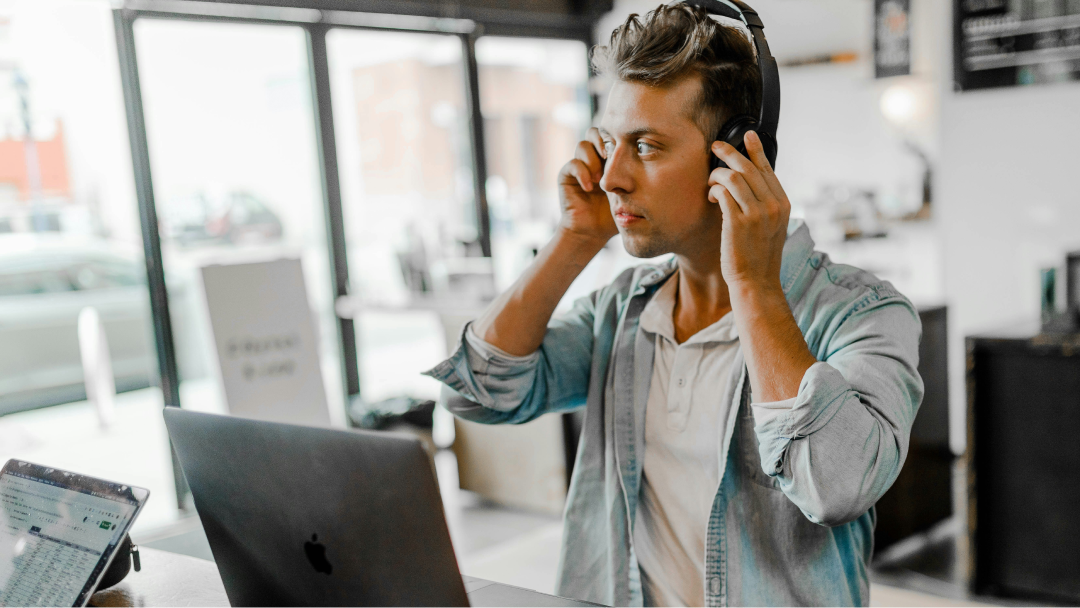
(502, 388)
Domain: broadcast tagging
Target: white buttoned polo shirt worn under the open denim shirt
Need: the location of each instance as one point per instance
(685, 422)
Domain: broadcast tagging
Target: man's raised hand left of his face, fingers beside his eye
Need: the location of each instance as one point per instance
(586, 209)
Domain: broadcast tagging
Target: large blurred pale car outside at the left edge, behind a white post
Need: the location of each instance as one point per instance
(46, 280)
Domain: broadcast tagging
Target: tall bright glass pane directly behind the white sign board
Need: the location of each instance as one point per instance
(231, 129)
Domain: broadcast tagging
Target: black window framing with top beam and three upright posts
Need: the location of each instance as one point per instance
(317, 18)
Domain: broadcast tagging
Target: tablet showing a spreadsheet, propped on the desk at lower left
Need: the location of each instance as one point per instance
(59, 533)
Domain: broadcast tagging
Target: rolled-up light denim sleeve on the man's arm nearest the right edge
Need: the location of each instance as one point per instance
(845, 440)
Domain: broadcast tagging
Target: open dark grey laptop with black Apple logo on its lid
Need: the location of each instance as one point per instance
(305, 517)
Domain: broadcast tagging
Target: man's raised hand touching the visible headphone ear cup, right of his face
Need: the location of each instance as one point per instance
(755, 217)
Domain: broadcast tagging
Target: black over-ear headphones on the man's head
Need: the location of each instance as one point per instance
(736, 129)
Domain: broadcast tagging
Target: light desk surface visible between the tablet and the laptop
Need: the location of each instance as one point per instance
(168, 580)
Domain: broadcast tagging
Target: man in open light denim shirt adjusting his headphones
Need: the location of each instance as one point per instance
(748, 402)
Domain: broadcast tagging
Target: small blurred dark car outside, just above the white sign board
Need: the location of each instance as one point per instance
(236, 218)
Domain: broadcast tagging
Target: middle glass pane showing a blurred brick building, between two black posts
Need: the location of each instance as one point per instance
(404, 156)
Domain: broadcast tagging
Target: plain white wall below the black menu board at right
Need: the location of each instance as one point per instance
(1009, 201)
